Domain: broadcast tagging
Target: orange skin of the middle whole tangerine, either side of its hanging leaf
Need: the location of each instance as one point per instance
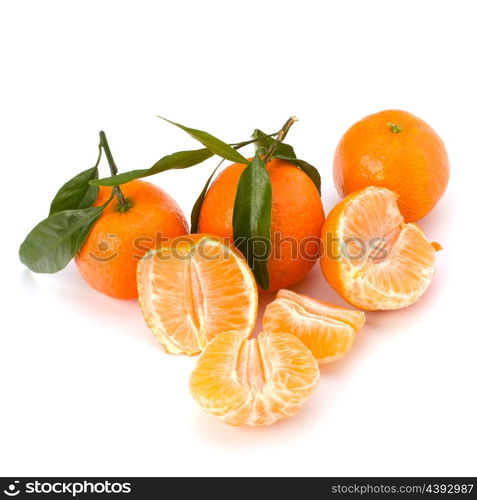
(297, 213)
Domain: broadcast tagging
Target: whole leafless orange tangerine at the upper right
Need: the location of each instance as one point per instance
(413, 162)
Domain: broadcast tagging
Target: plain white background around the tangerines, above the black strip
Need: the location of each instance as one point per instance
(85, 388)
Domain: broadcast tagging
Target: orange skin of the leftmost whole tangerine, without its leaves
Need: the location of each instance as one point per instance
(108, 258)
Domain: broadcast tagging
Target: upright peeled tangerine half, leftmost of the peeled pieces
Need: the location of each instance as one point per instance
(194, 287)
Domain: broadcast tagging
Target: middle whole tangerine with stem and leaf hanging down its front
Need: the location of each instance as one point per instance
(274, 197)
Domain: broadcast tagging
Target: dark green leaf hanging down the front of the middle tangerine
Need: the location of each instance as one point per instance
(252, 217)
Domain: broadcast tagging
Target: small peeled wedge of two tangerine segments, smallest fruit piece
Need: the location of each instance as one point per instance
(327, 330)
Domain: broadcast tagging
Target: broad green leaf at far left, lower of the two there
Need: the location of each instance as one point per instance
(52, 243)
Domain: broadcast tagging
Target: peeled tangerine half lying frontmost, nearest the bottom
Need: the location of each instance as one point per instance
(254, 382)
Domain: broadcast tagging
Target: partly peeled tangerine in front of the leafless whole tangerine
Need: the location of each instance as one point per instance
(371, 257)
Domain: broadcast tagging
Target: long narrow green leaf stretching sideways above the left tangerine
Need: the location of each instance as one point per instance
(181, 159)
